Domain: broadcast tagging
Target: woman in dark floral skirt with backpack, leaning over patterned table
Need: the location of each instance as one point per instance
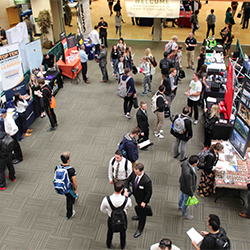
(207, 161)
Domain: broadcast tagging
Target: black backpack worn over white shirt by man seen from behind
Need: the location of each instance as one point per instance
(118, 216)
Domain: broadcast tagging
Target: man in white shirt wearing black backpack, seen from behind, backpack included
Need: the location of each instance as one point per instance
(116, 206)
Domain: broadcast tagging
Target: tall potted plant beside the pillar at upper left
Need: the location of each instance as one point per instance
(44, 23)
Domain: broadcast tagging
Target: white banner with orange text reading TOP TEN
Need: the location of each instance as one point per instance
(11, 67)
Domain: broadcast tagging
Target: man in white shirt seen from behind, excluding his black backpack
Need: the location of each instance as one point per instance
(117, 200)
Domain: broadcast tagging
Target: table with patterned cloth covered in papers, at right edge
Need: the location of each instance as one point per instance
(235, 175)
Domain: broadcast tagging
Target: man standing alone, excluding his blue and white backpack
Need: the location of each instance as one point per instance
(70, 196)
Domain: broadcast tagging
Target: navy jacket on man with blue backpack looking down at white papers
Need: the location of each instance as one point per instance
(130, 146)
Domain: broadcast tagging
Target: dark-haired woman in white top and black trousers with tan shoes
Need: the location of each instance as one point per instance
(20, 105)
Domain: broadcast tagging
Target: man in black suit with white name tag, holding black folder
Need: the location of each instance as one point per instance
(142, 191)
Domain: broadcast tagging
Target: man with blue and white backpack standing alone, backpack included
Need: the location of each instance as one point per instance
(65, 183)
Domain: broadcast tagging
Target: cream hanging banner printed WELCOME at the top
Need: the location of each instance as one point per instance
(153, 8)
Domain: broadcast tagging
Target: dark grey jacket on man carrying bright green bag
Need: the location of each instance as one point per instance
(188, 179)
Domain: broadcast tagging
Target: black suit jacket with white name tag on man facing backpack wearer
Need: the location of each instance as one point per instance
(143, 191)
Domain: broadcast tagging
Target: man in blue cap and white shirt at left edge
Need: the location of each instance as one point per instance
(11, 128)
